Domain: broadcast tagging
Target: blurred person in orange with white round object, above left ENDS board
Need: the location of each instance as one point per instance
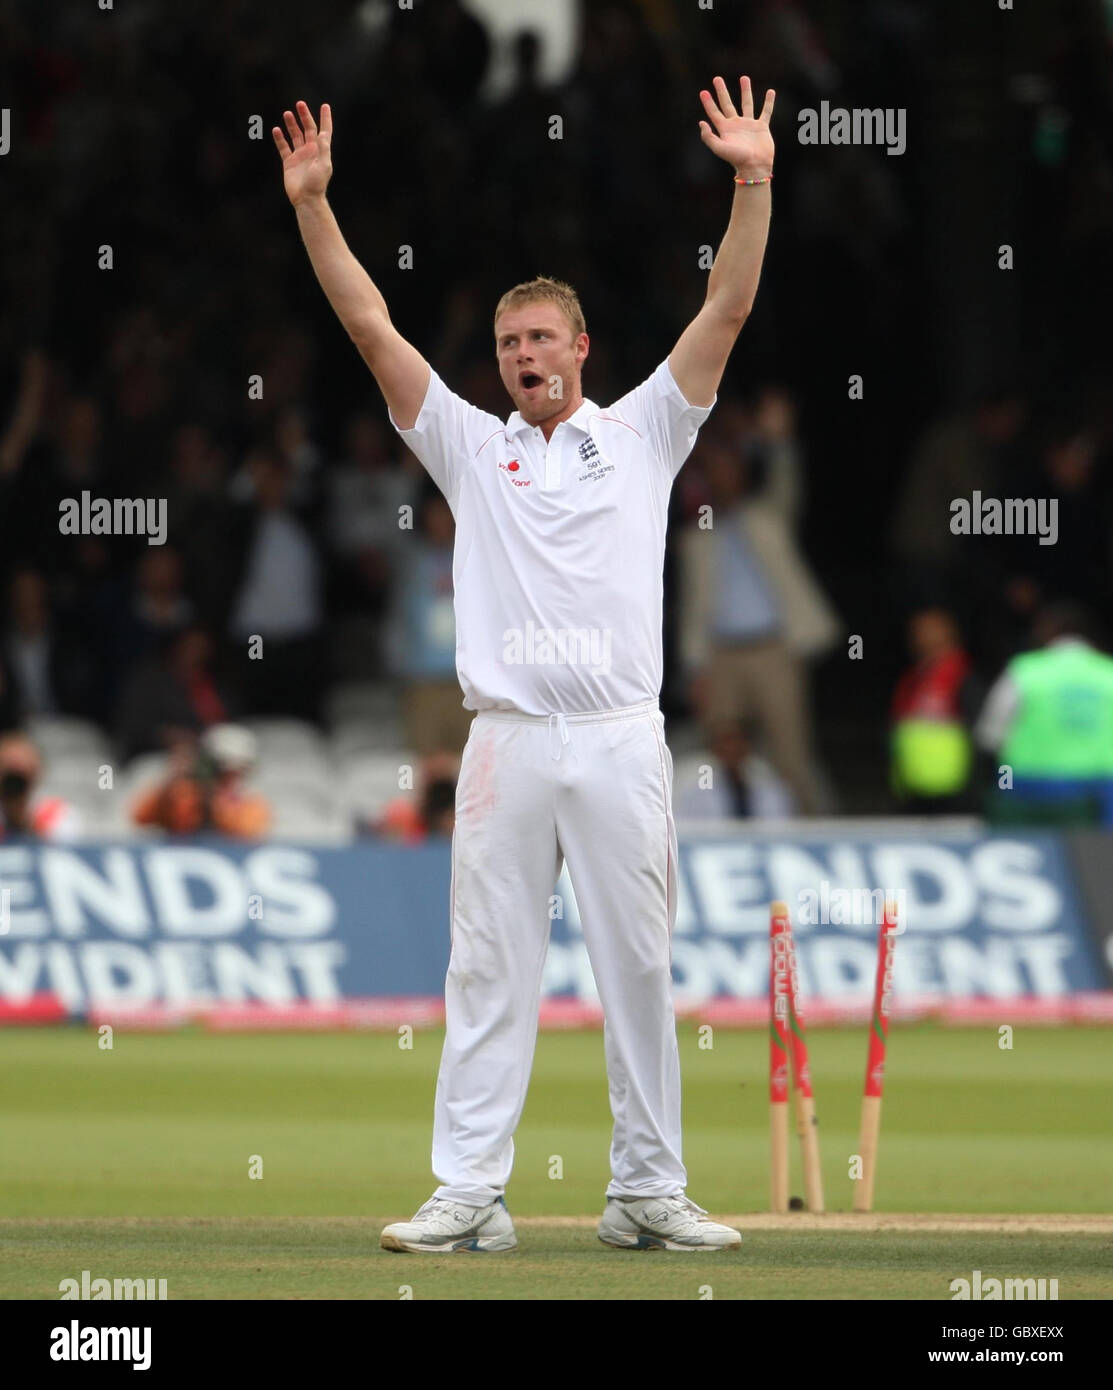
(205, 790)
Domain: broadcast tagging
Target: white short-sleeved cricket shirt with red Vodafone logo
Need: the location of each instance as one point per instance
(559, 548)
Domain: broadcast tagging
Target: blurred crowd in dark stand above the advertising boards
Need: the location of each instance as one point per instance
(306, 554)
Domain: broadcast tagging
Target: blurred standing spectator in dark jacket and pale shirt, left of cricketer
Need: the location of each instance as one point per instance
(279, 598)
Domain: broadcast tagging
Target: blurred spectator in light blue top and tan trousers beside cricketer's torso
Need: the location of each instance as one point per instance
(423, 635)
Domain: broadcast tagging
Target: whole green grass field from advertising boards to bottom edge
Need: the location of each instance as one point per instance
(140, 1160)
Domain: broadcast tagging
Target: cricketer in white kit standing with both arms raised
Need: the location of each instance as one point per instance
(561, 515)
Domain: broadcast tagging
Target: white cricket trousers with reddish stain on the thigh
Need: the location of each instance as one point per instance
(595, 790)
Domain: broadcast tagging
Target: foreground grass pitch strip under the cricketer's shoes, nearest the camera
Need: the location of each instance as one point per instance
(340, 1259)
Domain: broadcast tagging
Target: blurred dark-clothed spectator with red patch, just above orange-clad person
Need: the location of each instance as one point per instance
(174, 692)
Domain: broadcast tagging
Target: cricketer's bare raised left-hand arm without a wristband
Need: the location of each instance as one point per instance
(399, 369)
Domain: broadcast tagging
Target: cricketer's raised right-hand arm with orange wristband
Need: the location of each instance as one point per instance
(701, 355)
